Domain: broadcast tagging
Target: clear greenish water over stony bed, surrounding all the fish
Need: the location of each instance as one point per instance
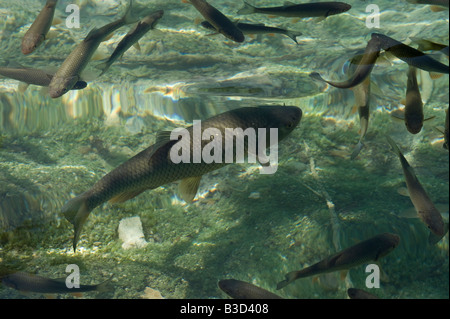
(242, 225)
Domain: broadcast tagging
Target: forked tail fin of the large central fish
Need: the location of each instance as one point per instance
(76, 212)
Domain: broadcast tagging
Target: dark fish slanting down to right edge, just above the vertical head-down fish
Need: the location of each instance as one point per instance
(410, 55)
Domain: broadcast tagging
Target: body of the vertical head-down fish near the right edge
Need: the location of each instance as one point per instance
(413, 106)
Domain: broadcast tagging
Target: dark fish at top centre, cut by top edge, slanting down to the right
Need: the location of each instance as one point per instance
(217, 19)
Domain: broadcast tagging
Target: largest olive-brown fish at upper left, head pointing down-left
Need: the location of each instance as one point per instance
(70, 70)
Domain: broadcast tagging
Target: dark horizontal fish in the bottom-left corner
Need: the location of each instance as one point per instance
(26, 282)
